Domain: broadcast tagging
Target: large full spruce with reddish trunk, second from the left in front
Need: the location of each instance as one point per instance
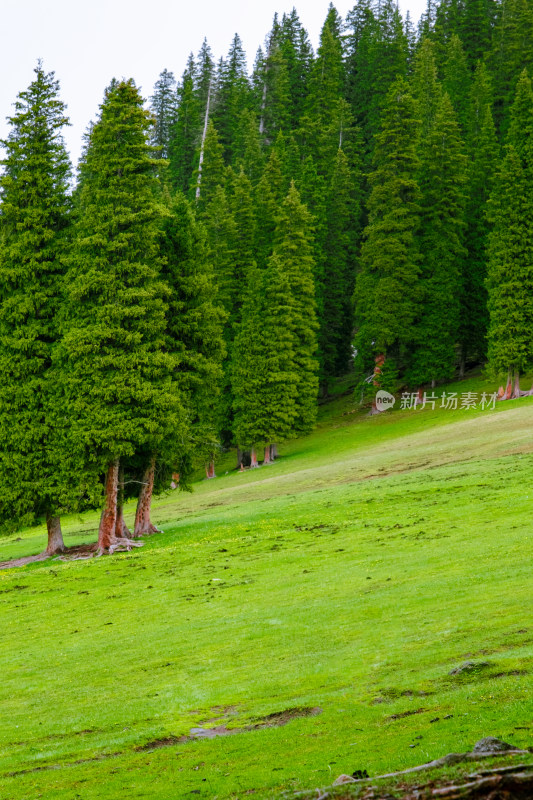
(117, 373)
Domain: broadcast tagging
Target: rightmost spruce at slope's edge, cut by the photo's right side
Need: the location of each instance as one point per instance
(510, 267)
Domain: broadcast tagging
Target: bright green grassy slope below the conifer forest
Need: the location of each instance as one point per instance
(352, 575)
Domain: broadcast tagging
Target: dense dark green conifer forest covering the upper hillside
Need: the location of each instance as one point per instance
(233, 244)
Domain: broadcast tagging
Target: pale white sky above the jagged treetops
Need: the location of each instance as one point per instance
(88, 42)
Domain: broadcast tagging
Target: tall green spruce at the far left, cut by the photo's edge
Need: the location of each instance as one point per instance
(34, 218)
